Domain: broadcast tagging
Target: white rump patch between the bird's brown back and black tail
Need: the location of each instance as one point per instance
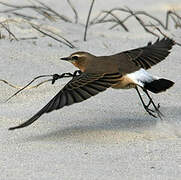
(141, 76)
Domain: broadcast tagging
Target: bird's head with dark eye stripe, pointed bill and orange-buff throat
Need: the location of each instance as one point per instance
(79, 59)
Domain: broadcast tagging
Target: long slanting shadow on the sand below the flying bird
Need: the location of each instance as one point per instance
(95, 131)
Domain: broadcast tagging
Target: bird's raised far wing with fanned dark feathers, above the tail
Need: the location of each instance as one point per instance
(147, 56)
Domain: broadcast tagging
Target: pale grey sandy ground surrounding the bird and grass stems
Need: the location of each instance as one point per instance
(106, 137)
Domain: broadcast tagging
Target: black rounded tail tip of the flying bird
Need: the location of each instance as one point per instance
(158, 85)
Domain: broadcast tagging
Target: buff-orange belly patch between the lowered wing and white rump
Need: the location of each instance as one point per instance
(125, 83)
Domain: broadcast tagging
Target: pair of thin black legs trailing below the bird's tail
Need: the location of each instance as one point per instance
(146, 107)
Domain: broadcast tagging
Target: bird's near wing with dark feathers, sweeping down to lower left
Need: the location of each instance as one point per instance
(76, 90)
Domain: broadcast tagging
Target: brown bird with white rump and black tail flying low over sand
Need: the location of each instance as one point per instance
(124, 70)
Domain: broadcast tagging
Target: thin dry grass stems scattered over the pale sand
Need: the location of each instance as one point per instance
(44, 12)
